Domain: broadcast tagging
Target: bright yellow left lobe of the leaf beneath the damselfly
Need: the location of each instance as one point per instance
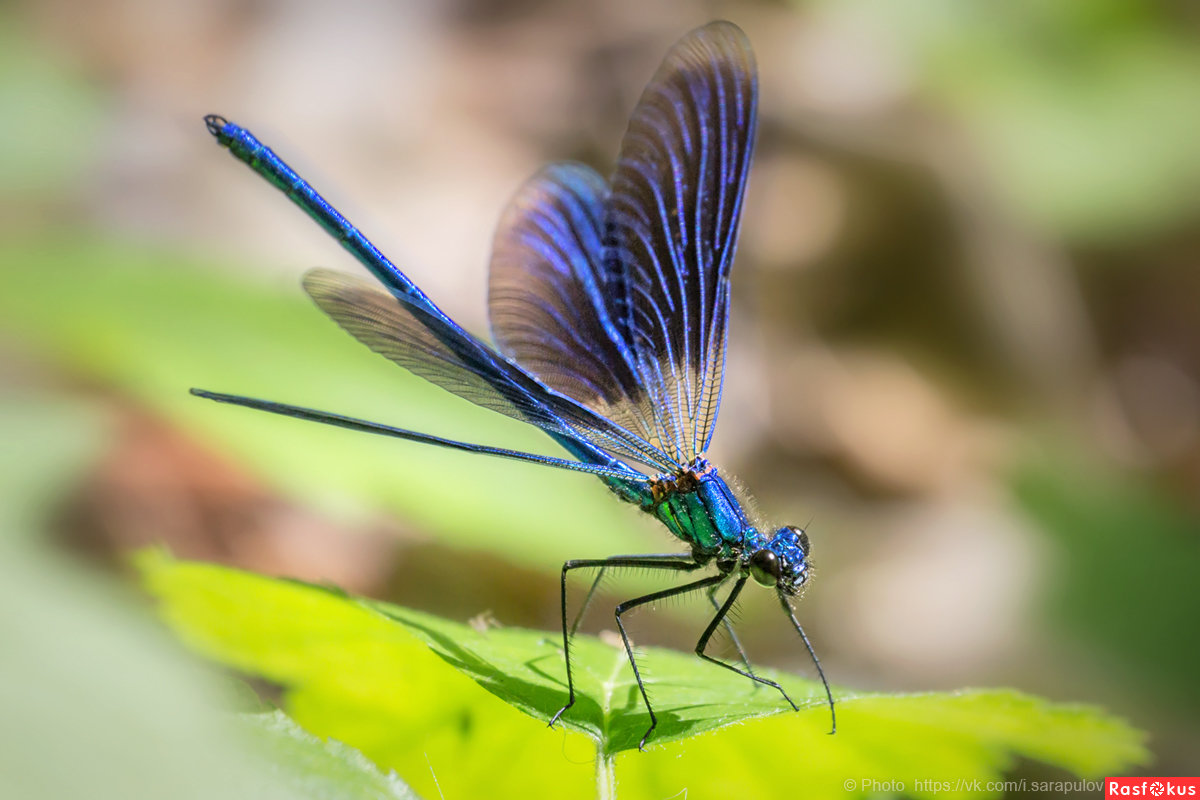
(358, 677)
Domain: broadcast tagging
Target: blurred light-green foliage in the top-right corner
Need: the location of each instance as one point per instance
(1084, 111)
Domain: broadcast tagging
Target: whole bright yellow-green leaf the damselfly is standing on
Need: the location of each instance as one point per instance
(376, 676)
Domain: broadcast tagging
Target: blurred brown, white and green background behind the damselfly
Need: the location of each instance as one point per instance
(965, 348)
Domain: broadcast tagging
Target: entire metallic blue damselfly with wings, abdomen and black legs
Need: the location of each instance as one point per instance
(609, 306)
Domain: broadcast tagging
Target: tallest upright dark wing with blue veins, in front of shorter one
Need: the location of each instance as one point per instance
(671, 230)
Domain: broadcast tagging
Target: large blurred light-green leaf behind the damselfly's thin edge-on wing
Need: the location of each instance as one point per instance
(153, 324)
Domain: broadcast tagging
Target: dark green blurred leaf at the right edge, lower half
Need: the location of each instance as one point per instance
(1121, 537)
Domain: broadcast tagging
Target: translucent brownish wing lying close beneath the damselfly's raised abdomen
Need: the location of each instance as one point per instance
(421, 339)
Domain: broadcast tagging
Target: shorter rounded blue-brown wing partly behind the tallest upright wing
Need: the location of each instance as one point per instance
(545, 303)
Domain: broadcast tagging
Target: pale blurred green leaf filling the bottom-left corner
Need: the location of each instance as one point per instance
(97, 702)
